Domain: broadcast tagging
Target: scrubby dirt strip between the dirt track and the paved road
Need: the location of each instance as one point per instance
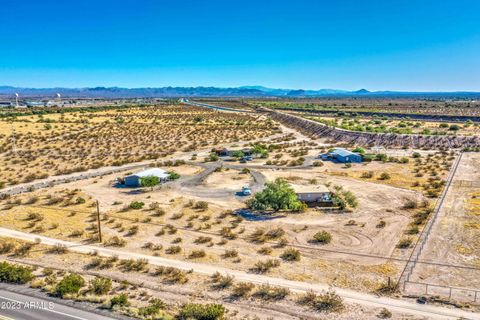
(143, 285)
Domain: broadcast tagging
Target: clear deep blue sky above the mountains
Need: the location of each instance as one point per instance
(422, 45)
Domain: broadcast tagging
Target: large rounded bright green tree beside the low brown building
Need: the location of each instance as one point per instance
(277, 195)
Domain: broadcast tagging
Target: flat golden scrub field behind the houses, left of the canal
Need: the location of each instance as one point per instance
(55, 144)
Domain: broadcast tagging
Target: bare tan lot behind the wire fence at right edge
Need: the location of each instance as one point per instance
(455, 237)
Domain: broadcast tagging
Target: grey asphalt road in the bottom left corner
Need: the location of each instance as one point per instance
(22, 307)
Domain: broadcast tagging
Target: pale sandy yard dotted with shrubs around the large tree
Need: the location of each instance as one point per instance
(178, 220)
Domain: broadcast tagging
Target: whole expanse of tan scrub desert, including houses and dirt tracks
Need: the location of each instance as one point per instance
(195, 228)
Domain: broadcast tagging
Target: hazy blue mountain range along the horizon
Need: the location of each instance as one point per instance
(244, 91)
